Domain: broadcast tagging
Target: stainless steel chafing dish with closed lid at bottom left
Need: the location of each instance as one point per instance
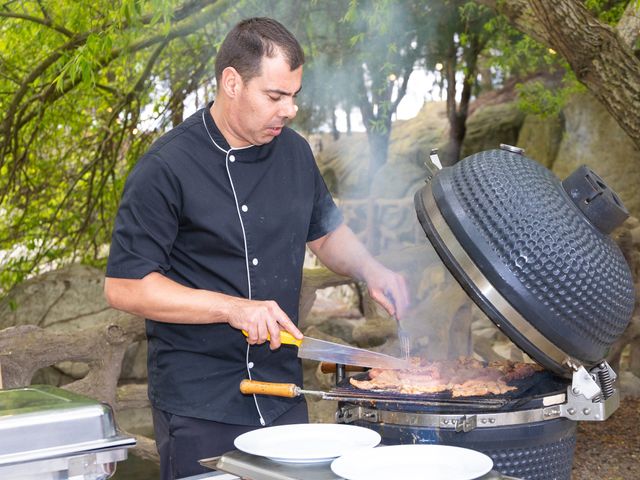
(50, 433)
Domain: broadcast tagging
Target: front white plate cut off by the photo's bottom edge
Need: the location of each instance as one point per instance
(432, 462)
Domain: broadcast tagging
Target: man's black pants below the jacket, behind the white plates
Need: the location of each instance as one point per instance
(182, 441)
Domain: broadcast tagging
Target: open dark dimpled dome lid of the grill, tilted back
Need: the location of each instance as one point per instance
(541, 267)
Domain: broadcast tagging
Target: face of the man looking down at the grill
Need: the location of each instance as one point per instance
(265, 103)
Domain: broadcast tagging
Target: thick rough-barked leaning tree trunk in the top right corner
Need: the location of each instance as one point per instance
(600, 58)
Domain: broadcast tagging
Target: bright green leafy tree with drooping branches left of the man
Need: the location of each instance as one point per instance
(74, 83)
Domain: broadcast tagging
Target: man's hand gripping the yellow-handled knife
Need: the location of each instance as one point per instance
(262, 320)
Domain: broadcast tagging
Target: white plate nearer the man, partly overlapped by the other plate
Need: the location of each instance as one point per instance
(306, 442)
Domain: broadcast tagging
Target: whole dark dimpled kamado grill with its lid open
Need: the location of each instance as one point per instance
(535, 255)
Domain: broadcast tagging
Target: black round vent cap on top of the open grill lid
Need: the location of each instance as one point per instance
(595, 199)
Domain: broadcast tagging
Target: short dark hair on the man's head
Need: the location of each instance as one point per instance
(252, 39)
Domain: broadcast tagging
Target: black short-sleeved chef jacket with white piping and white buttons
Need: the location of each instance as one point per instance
(234, 221)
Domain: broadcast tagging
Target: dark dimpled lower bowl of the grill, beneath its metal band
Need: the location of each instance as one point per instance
(534, 451)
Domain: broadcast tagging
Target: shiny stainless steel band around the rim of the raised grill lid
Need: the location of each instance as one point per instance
(485, 288)
